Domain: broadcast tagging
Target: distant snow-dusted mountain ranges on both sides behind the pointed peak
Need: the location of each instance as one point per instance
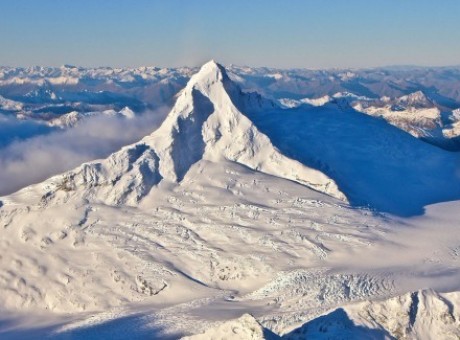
(421, 101)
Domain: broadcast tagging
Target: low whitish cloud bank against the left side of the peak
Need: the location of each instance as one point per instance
(32, 160)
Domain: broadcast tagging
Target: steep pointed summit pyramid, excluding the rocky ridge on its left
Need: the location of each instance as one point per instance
(207, 123)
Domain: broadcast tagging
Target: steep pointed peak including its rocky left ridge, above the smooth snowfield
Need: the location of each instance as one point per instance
(206, 123)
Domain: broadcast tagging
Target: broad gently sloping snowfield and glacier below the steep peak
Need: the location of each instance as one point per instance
(302, 272)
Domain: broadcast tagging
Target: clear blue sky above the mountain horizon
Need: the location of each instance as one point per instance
(280, 33)
